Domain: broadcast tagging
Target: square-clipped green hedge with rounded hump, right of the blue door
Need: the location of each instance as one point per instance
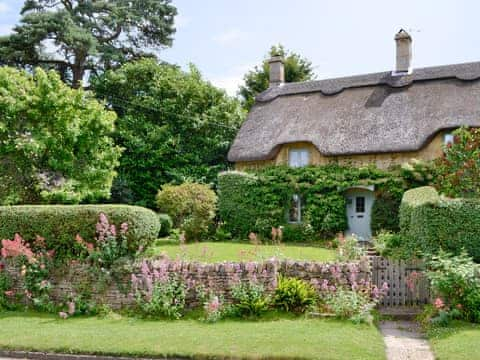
(430, 223)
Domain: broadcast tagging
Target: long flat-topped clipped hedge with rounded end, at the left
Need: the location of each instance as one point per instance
(59, 224)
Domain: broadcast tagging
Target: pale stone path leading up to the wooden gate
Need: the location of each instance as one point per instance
(403, 341)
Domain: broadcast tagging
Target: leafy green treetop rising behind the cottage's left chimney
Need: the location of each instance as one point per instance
(297, 69)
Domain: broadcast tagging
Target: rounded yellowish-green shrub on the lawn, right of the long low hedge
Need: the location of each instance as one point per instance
(191, 207)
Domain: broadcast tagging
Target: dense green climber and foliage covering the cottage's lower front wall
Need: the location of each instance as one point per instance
(257, 202)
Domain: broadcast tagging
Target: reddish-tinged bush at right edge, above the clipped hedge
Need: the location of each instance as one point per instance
(458, 171)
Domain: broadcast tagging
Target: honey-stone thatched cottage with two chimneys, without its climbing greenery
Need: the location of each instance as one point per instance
(384, 118)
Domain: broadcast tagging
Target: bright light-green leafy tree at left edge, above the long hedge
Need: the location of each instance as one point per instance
(55, 143)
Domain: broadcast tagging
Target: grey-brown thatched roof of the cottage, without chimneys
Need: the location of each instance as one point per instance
(373, 113)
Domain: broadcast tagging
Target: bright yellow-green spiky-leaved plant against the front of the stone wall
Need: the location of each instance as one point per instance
(294, 295)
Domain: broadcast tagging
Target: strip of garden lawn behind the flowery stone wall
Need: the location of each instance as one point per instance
(221, 251)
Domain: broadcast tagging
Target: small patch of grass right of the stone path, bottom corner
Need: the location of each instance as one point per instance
(460, 341)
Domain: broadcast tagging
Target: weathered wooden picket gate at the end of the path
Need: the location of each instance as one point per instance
(408, 285)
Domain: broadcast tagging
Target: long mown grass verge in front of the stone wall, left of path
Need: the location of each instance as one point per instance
(282, 338)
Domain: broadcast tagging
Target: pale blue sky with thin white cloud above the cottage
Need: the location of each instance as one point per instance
(226, 38)
